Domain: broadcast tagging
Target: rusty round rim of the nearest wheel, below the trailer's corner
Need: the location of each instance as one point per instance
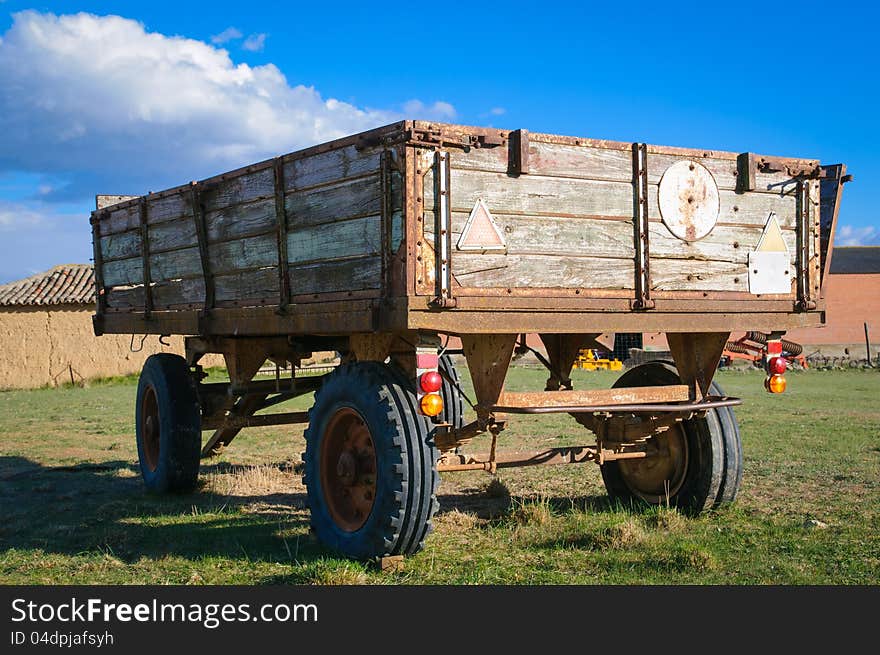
(348, 469)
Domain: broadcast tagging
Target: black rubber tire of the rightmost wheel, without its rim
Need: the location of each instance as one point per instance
(714, 470)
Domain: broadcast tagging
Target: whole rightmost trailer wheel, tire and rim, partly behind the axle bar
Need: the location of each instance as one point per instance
(701, 462)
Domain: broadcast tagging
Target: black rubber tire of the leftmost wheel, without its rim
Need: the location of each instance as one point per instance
(180, 435)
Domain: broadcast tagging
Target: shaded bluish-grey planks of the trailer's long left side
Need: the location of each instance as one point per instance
(333, 202)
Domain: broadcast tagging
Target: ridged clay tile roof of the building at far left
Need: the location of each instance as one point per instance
(62, 285)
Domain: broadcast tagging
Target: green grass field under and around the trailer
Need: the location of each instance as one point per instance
(74, 509)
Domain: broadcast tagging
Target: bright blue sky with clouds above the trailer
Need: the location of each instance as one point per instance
(169, 92)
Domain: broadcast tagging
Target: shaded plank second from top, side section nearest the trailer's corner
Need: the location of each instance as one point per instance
(362, 197)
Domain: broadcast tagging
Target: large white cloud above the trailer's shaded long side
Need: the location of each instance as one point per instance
(112, 108)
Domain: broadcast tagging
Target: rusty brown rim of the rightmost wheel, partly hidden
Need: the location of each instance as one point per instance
(659, 478)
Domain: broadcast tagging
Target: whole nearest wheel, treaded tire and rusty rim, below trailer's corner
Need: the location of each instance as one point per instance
(370, 463)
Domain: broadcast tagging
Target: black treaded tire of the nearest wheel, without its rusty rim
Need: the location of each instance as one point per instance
(406, 471)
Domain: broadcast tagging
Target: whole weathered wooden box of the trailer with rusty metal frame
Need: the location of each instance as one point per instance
(446, 228)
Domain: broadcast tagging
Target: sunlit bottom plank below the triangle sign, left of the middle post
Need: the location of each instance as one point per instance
(542, 271)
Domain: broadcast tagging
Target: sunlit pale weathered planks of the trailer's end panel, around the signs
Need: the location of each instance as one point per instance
(568, 222)
